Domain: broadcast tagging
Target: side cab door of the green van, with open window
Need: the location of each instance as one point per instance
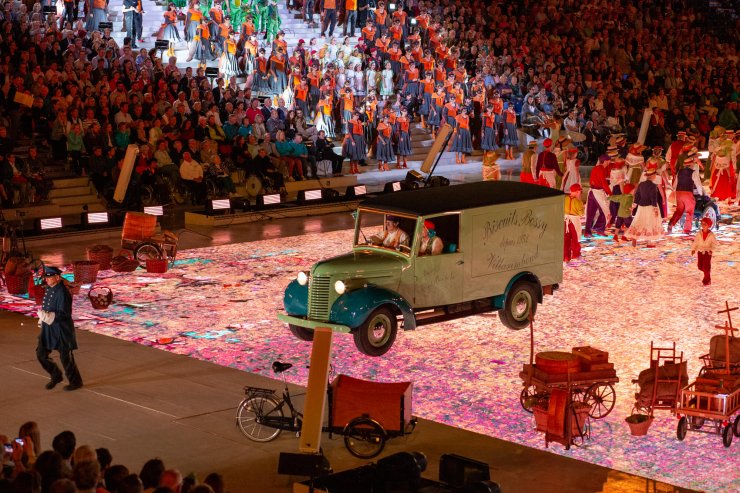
(438, 278)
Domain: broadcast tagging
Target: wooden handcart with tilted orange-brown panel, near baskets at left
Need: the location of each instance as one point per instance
(140, 236)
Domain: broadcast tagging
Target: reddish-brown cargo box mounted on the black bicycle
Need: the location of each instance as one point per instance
(387, 403)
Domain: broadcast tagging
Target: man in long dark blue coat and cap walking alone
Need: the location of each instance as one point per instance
(57, 331)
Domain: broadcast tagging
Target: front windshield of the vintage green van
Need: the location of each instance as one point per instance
(385, 230)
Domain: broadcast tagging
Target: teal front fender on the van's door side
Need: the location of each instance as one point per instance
(353, 308)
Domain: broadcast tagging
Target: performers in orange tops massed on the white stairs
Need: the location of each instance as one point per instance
(364, 91)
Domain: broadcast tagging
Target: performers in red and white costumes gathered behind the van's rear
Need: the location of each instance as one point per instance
(629, 189)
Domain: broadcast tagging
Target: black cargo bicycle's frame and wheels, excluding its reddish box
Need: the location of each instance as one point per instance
(261, 417)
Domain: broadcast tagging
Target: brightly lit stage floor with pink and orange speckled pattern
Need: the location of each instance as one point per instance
(219, 304)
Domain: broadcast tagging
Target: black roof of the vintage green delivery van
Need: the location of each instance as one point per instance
(434, 200)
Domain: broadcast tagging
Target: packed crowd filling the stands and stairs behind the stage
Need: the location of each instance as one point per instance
(600, 63)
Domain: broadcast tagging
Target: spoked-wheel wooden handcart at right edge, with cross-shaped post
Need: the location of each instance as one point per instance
(708, 404)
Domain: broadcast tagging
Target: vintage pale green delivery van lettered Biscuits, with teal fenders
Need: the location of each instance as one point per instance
(502, 250)
